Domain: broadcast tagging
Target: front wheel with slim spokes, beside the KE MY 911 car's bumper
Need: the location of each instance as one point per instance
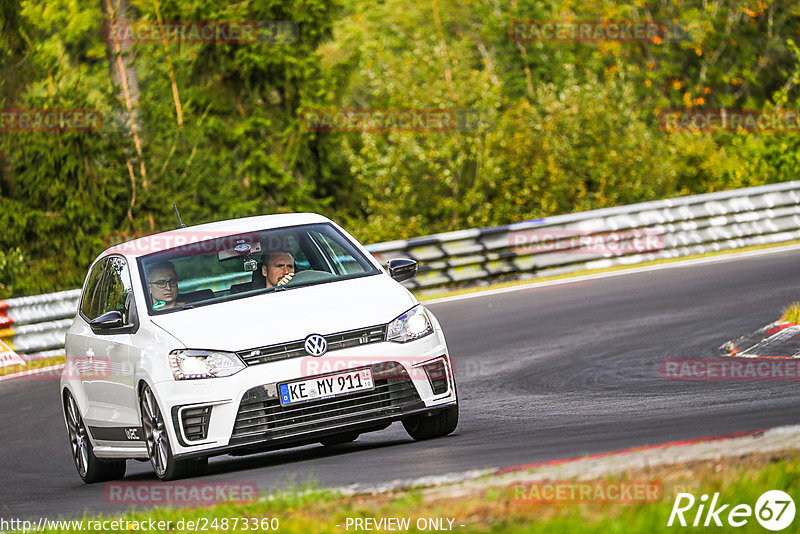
(159, 449)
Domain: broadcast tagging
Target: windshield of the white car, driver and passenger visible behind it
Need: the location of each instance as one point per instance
(205, 271)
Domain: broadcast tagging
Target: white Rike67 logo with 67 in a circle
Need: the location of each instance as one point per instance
(774, 510)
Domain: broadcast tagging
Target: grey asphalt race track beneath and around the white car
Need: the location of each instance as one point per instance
(547, 373)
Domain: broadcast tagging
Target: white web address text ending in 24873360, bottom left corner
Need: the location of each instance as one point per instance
(199, 524)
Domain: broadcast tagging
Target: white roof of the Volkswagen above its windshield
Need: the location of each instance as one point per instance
(201, 232)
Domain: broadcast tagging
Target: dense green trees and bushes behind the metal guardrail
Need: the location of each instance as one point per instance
(564, 126)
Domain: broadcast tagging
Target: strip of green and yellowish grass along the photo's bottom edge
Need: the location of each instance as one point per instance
(501, 510)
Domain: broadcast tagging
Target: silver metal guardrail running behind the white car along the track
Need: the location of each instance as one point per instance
(35, 326)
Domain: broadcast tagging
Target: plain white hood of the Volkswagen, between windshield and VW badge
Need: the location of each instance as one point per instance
(289, 315)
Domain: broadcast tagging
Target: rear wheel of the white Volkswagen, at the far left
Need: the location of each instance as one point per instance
(90, 468)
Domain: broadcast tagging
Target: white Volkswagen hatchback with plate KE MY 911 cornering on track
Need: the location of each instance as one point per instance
(244, 336)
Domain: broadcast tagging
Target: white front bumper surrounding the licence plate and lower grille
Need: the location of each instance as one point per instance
(242, 414)
